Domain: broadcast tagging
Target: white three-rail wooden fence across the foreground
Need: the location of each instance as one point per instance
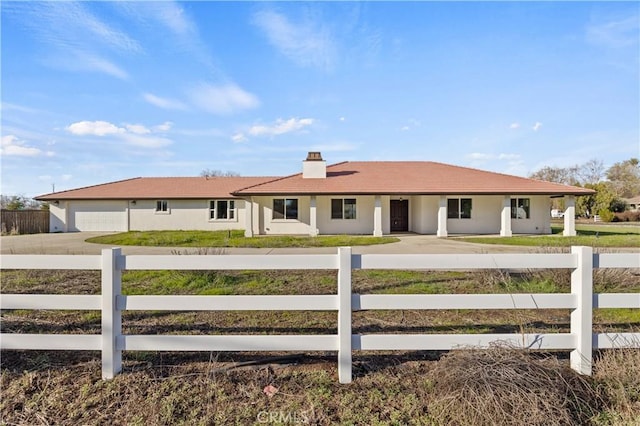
(581, 340)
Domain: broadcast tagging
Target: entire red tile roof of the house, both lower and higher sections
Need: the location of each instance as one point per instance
(349, 178)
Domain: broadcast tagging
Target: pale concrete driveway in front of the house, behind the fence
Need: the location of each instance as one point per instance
(74, 243)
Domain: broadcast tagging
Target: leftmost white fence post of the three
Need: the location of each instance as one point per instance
(111, 315)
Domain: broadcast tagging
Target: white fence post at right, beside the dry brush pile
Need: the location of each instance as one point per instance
(582, 315)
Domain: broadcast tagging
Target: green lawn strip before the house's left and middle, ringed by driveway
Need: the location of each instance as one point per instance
(234, 238)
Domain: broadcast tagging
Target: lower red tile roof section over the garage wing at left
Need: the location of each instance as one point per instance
(159, 188)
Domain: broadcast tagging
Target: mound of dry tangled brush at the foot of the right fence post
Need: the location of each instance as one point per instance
(510, 387)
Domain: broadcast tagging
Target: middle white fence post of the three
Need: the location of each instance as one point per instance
(344, 314)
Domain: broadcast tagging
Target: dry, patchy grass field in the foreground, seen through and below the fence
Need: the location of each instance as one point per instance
(498, 386)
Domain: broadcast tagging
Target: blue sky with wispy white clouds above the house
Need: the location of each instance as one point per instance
(100, 91)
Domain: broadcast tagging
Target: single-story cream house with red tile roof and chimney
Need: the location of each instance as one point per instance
(352, 197)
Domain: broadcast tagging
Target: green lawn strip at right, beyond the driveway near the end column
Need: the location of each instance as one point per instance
(588, 235)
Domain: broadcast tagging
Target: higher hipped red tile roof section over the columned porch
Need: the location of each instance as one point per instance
(409, 177)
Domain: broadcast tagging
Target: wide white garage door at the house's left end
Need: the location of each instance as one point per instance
(98, 216)
